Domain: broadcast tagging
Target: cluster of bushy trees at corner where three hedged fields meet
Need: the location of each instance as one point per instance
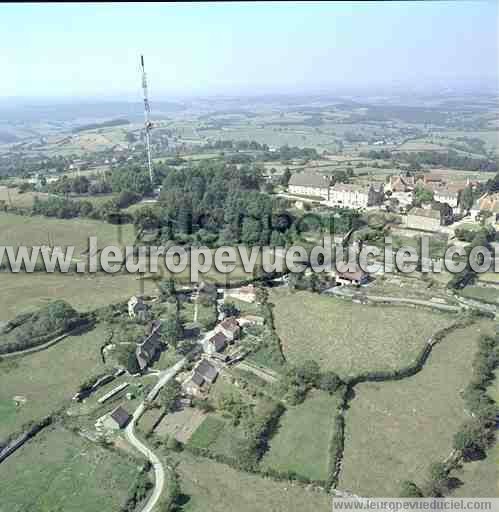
(299, 379)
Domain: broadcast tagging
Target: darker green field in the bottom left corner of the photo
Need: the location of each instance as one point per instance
(59, 471)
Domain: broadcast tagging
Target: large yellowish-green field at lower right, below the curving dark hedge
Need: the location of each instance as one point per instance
(394, 430)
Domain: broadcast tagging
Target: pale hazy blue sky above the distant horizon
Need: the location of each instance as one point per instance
(204, 49)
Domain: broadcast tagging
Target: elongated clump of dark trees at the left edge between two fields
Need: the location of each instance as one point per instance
(33, 329)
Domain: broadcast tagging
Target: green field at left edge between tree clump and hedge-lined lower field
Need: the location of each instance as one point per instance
(48, 379)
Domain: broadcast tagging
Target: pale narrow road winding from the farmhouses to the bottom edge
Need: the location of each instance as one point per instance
(159, 470)
